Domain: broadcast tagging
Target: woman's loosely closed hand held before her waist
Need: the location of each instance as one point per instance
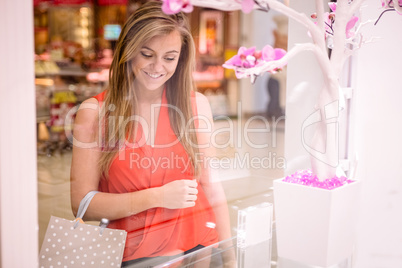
(179, 194)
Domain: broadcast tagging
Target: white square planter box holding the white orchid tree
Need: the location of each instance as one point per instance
(315, 226)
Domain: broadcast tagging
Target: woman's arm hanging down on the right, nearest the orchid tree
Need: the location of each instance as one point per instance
(213, 189)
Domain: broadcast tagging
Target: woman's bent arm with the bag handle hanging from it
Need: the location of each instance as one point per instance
(85, 176)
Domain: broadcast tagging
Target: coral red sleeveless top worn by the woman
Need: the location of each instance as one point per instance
(159, 231)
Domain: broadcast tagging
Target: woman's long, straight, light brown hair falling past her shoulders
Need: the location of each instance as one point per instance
(147, 22)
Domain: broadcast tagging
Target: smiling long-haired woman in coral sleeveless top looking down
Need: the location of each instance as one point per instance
(140, 144)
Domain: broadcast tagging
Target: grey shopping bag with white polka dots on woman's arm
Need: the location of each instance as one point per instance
(76, 244)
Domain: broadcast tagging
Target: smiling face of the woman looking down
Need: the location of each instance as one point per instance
(156, 62)
